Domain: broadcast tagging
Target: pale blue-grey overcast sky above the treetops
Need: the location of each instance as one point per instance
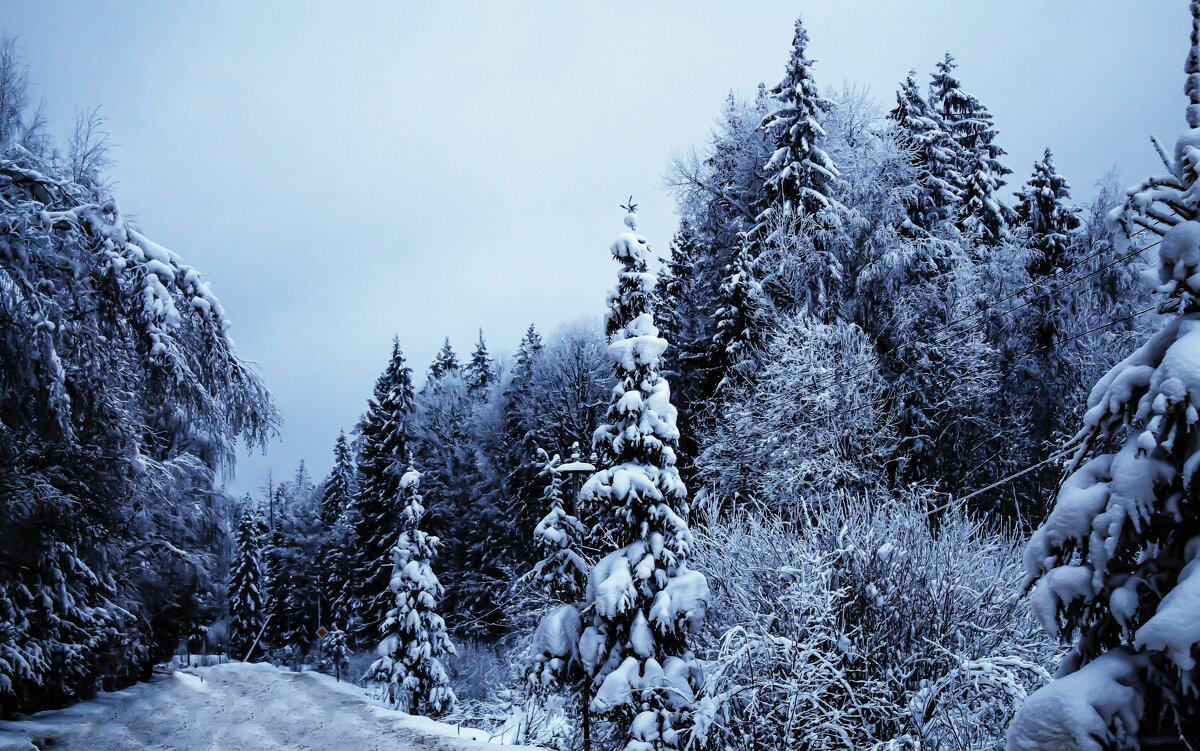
(345, 172)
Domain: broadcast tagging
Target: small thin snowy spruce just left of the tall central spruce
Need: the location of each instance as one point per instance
(563, 572)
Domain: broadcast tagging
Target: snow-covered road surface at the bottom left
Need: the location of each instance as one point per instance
(233, 707)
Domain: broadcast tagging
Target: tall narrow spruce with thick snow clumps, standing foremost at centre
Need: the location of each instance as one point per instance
(643, 599)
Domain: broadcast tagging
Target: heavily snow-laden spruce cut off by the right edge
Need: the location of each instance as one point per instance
(1118, 562)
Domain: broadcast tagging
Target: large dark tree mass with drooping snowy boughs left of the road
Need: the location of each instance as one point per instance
(122, 395)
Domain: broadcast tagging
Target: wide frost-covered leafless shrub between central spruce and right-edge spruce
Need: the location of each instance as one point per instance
(869, 628)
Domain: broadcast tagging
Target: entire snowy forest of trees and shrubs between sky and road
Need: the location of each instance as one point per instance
(891, 447)
